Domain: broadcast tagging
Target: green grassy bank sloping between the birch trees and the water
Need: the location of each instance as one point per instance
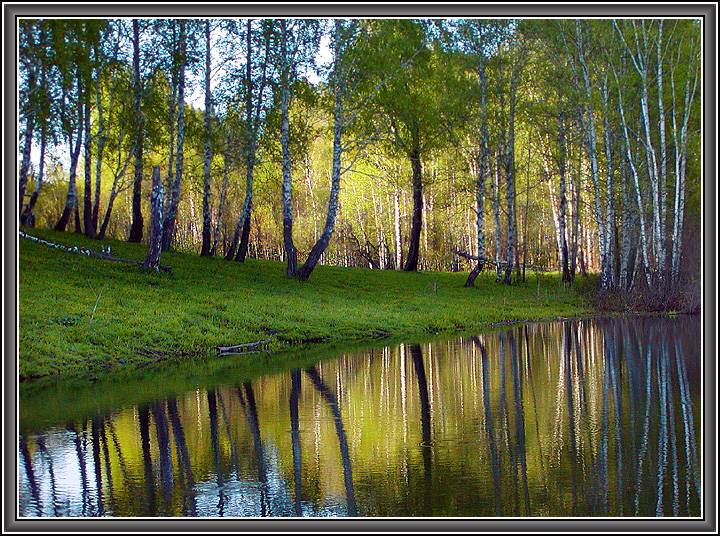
(81, 315)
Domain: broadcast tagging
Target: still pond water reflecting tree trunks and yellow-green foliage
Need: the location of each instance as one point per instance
(574, 418)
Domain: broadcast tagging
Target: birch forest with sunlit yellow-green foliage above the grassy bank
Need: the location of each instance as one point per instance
(446, 145)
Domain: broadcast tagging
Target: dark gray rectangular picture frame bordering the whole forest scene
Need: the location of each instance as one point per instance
(707, 523)
